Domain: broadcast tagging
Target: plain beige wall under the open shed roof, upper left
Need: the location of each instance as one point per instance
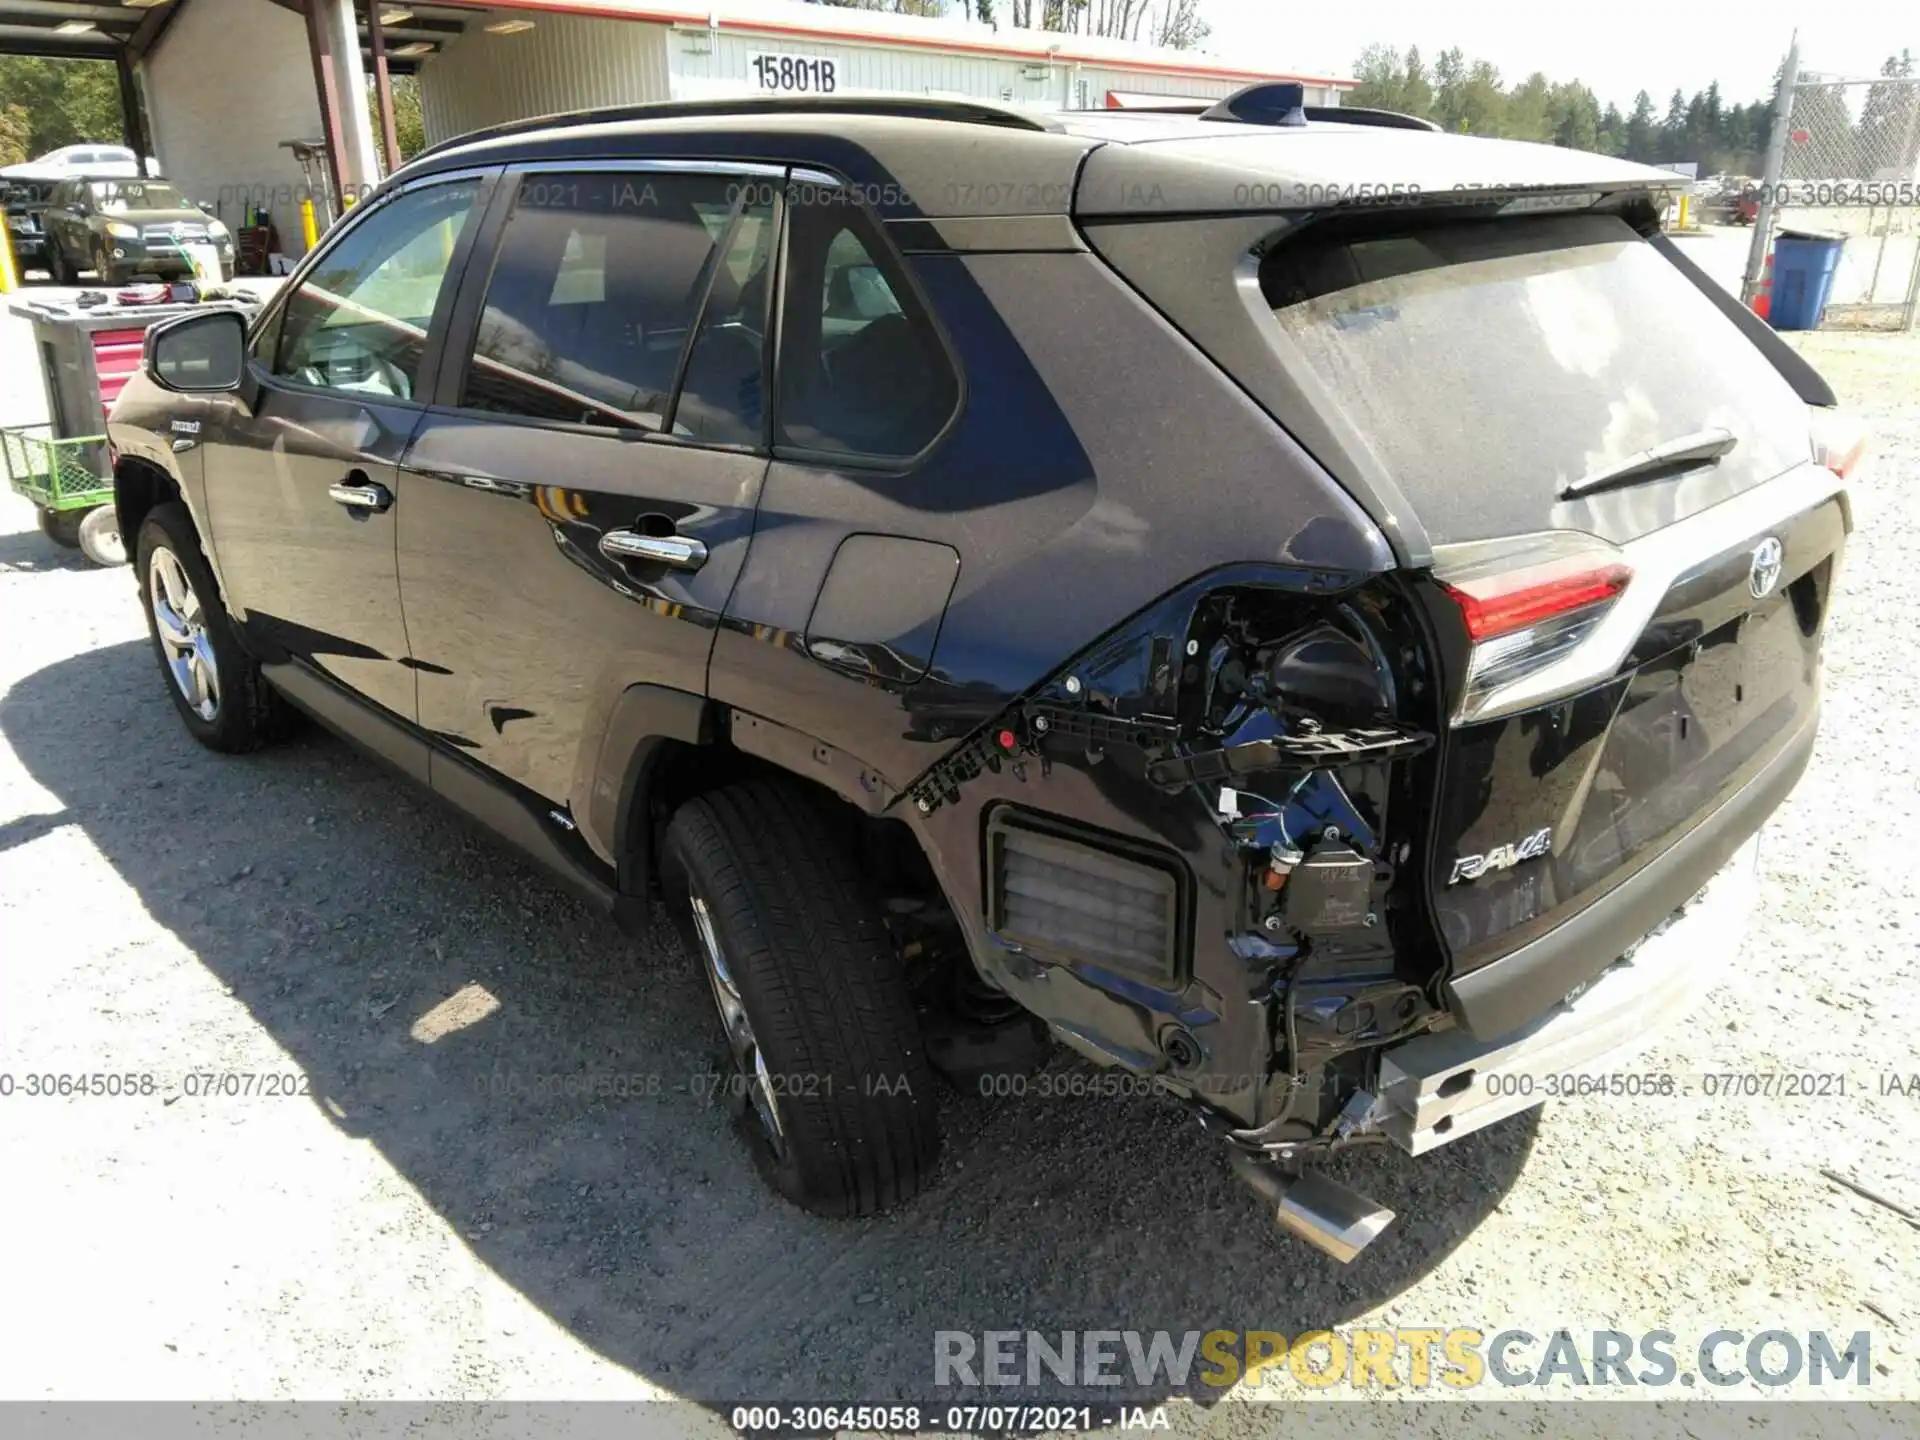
(229, 82)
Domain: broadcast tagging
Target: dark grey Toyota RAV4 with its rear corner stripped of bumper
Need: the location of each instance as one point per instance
(1293, 606)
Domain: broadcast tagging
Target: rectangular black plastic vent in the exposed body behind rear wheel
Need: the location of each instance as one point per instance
(1070, 896)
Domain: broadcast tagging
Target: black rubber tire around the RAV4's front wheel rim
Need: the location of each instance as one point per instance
(249, 713)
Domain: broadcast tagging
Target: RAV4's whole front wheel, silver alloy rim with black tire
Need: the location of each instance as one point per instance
(216, 686)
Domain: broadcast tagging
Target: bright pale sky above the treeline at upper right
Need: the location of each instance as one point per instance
(1618, 47)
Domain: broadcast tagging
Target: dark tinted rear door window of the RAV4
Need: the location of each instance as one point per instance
(594, 293)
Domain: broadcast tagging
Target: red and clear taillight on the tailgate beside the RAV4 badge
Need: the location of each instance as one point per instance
(1527, 606)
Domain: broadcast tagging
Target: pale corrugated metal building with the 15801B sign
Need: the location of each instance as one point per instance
(539, 57)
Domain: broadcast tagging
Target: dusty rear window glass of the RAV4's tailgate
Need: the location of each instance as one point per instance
(1489, 366)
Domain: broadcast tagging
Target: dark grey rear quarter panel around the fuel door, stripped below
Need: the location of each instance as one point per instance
(1101, 466)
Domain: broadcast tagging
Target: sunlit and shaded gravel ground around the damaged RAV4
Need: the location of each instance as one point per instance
(404, 1232)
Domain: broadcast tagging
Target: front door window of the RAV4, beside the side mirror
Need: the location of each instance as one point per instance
(360, 318)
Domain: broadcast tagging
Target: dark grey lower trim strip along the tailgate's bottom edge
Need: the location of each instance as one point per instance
(1512, 992)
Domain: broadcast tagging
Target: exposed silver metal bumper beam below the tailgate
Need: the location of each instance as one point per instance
(1445, 1086)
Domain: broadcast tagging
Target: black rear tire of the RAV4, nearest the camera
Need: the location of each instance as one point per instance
(823, 990)
